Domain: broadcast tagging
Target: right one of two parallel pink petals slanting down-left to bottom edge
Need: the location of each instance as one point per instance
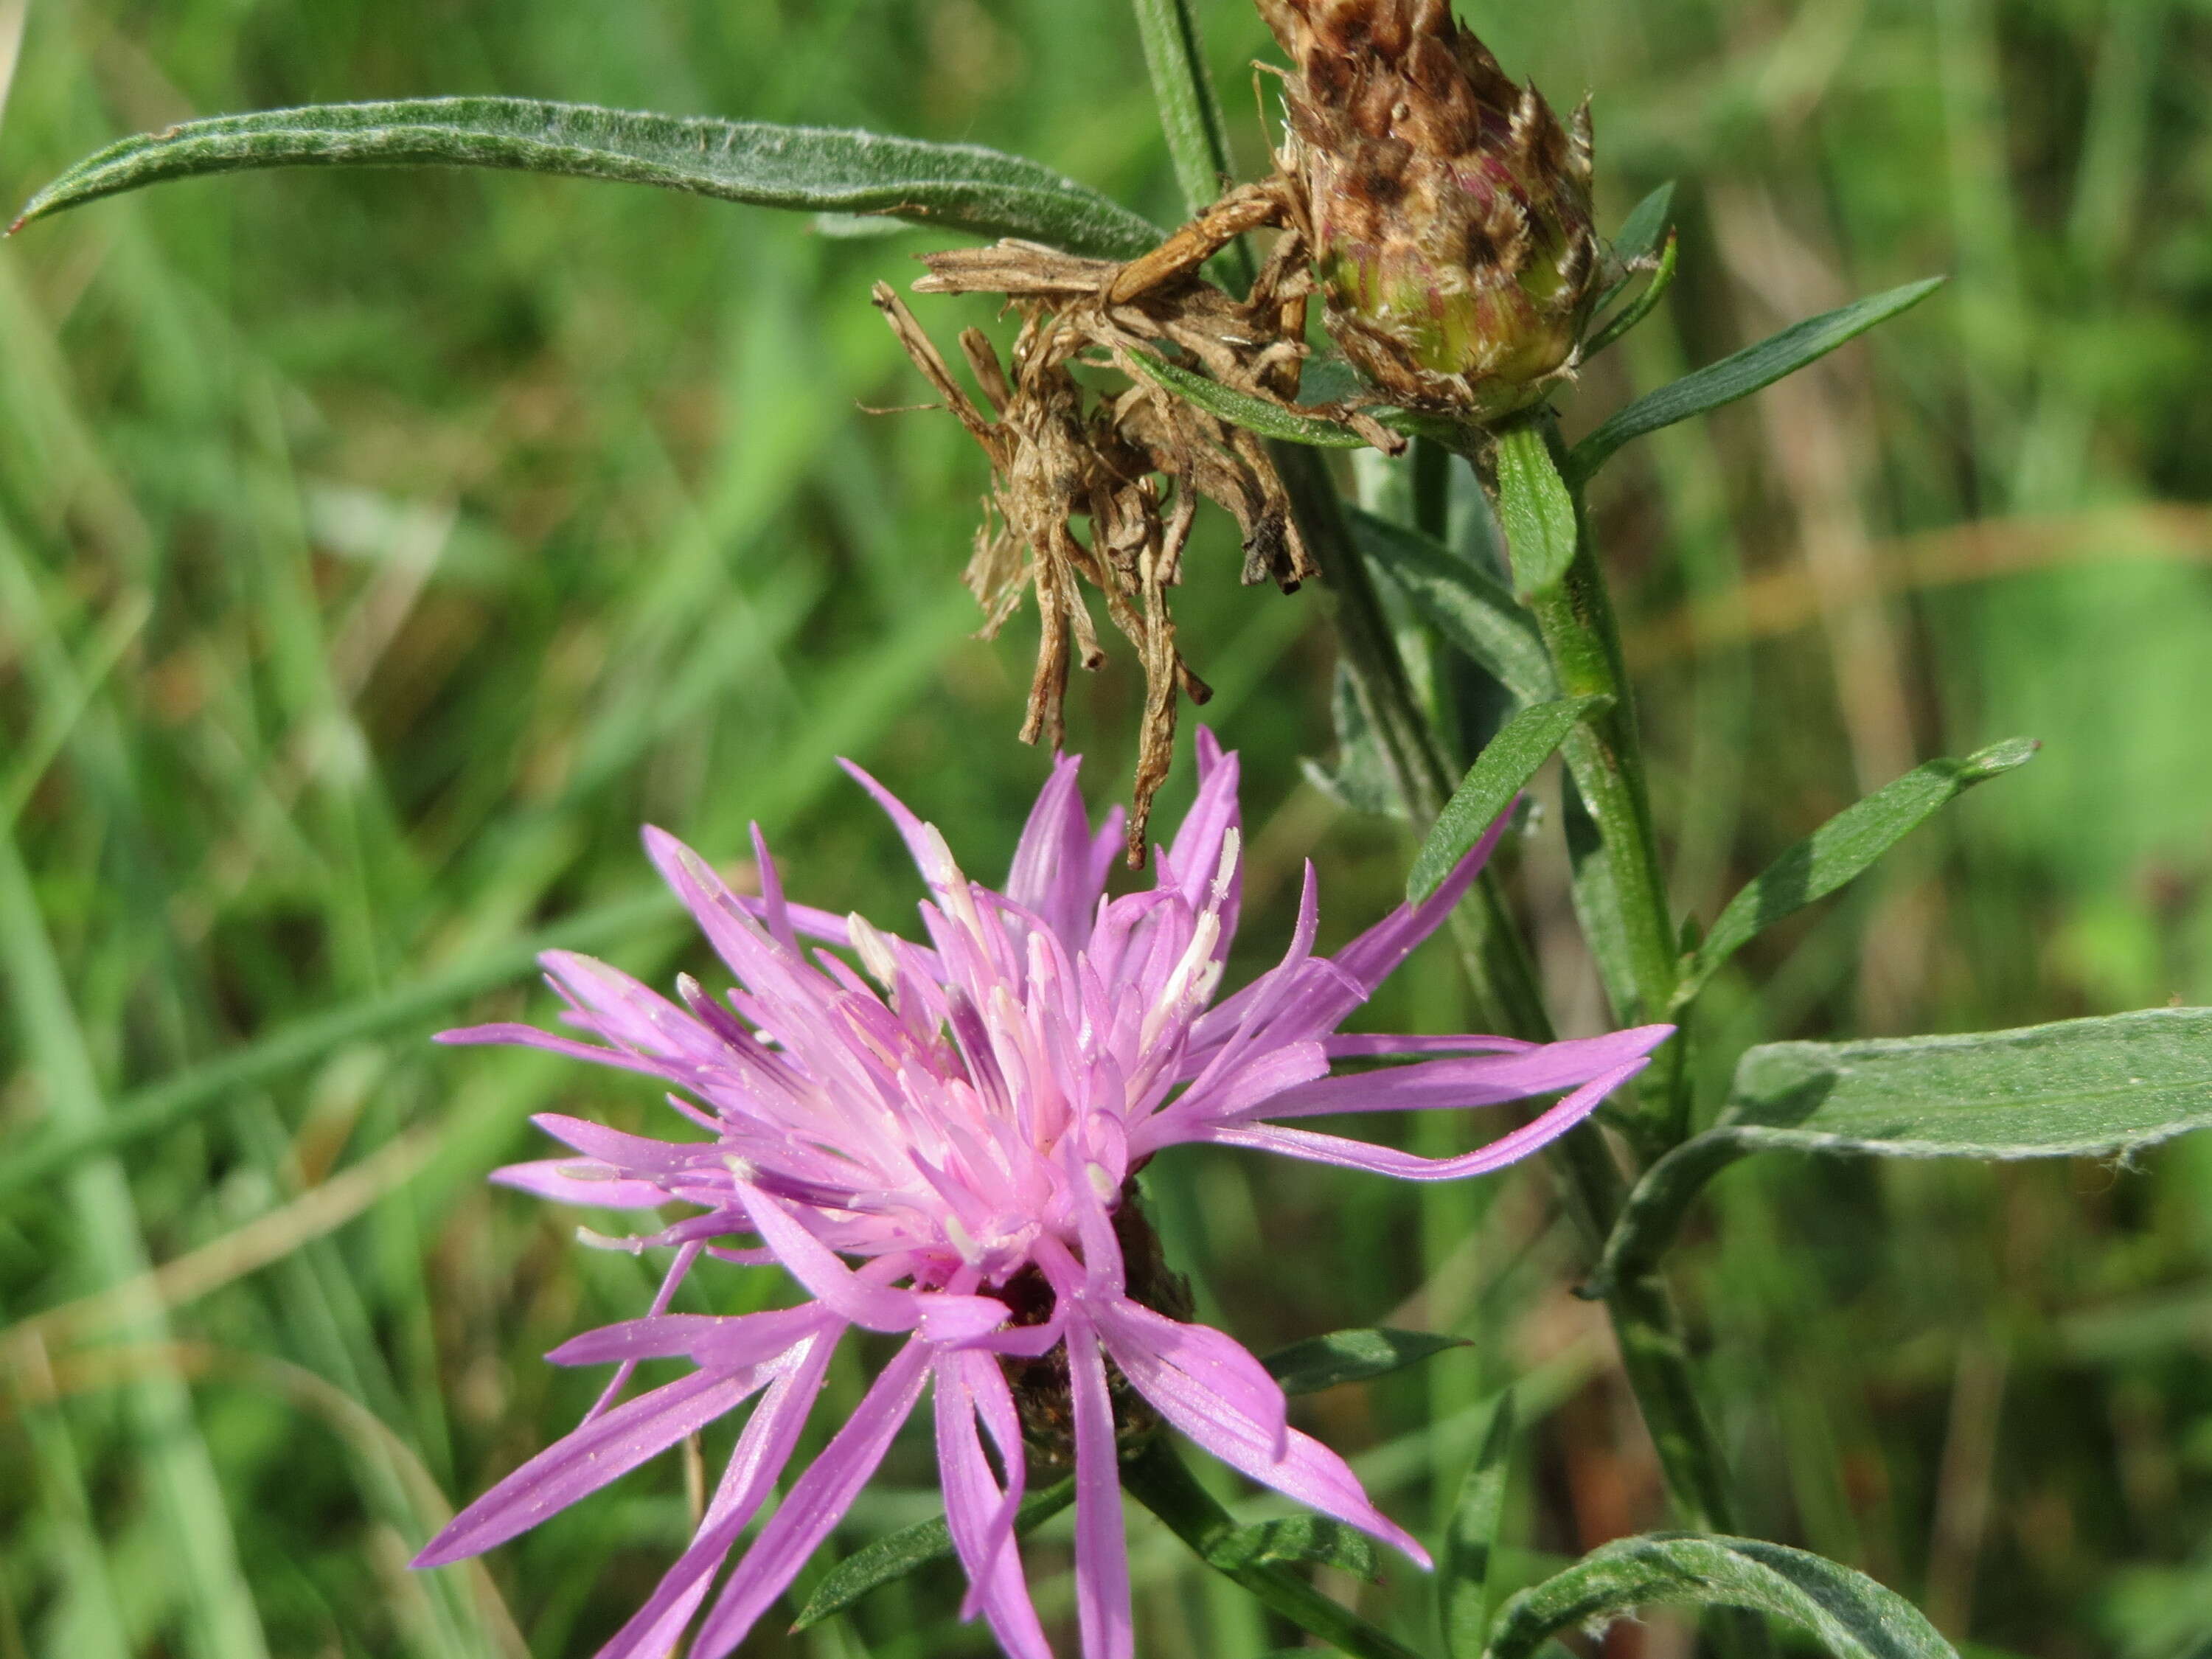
(817, 1503)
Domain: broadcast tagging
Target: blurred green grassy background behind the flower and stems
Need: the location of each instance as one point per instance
(379, 550)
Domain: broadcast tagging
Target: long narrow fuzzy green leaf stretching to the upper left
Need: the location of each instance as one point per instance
(954, 187)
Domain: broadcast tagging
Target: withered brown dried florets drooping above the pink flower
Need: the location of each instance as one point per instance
(1134, 463)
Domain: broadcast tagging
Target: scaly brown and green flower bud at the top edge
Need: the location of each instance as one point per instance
(1450, 207)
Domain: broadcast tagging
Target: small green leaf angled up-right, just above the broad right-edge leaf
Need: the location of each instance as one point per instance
(1844, 848)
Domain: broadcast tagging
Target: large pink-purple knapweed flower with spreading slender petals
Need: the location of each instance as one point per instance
(948, 1156)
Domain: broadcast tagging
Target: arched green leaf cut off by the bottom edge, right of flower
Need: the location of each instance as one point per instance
(1848, 1614)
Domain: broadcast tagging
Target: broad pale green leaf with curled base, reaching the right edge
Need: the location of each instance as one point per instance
(2069, 1089)
